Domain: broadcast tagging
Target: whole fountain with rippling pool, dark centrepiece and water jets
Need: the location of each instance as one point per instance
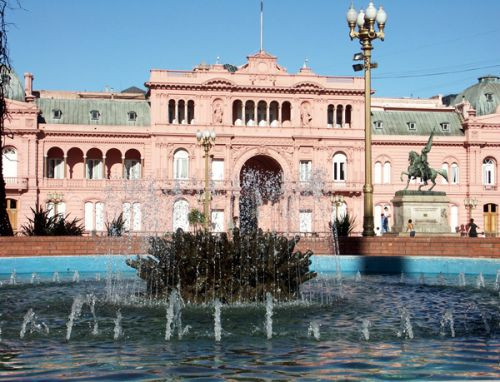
(258, 313)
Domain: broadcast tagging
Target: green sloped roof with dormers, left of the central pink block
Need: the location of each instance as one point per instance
(112, 112)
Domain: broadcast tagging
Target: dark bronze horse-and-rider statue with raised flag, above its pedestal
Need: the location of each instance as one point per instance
(419, 167)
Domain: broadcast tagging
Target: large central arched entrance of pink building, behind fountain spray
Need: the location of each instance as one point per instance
(261, 180)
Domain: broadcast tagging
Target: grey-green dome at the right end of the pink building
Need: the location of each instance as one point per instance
(483, 96)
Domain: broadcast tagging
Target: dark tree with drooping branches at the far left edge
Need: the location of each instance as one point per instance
(5, 227)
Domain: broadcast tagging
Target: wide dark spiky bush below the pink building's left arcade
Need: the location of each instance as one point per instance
(41, 224)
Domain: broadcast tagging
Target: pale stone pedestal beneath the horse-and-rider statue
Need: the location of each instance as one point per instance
(427, 209)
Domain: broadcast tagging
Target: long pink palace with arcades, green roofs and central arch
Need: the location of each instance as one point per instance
(94, 155)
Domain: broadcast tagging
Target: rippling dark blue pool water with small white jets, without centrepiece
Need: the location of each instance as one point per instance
(352, 326)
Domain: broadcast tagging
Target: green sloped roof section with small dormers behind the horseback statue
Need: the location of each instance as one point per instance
(396, 123)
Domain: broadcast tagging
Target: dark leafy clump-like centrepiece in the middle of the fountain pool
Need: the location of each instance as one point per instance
(203, 266)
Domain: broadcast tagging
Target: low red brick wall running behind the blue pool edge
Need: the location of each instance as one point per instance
(387, 246)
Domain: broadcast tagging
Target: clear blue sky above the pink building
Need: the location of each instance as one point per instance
(90, 44)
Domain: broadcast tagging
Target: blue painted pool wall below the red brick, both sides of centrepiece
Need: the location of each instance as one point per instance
(320, 263)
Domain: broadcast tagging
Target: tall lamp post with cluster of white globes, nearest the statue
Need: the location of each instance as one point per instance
(365, 21)
